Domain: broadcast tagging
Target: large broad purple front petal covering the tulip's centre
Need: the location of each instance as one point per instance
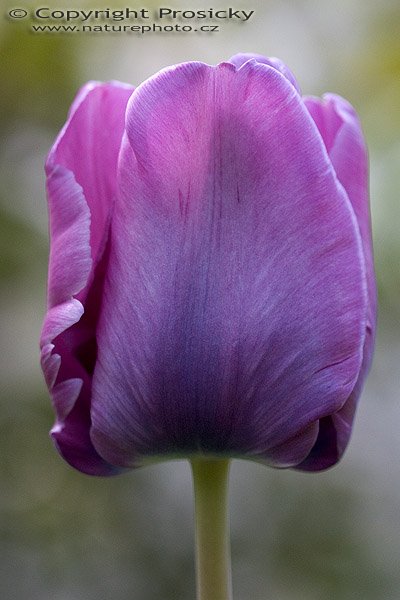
(234, 304)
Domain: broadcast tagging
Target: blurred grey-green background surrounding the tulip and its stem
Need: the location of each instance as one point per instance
(65, 536)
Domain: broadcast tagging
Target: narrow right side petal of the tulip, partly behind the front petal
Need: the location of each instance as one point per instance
(341, 132)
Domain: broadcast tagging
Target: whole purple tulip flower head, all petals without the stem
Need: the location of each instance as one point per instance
(211, 284)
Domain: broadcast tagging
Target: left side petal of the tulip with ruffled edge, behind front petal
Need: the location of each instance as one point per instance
(81, 171)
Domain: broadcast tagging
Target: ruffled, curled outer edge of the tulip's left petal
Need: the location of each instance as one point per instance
(70, 265)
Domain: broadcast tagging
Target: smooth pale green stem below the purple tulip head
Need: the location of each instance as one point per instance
(213, 569)
